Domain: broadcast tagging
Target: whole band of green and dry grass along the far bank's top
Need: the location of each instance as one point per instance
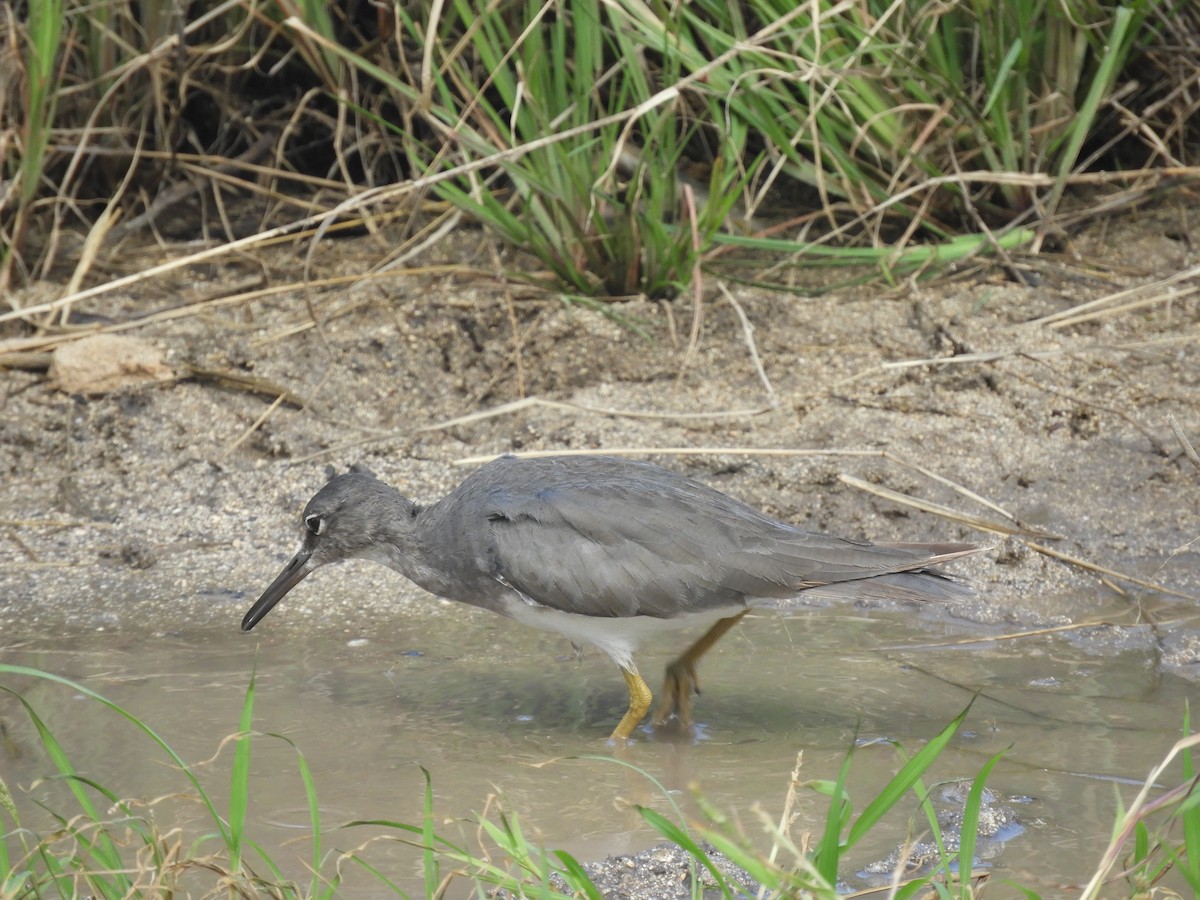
(628, 147)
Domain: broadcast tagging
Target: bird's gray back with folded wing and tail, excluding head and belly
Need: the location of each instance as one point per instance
(614, 538)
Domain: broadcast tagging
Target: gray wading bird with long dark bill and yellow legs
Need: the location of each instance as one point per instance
(605, 551)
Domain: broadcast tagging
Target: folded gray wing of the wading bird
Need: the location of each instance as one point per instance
(622, 550)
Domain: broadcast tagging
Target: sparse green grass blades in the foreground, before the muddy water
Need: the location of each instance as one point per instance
(113, 848)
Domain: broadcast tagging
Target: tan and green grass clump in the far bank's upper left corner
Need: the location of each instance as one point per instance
(95, 121)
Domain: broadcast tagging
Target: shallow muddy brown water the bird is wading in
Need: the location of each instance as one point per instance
(489, 707)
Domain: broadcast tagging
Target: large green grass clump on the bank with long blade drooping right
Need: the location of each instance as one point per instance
(569, 130)
